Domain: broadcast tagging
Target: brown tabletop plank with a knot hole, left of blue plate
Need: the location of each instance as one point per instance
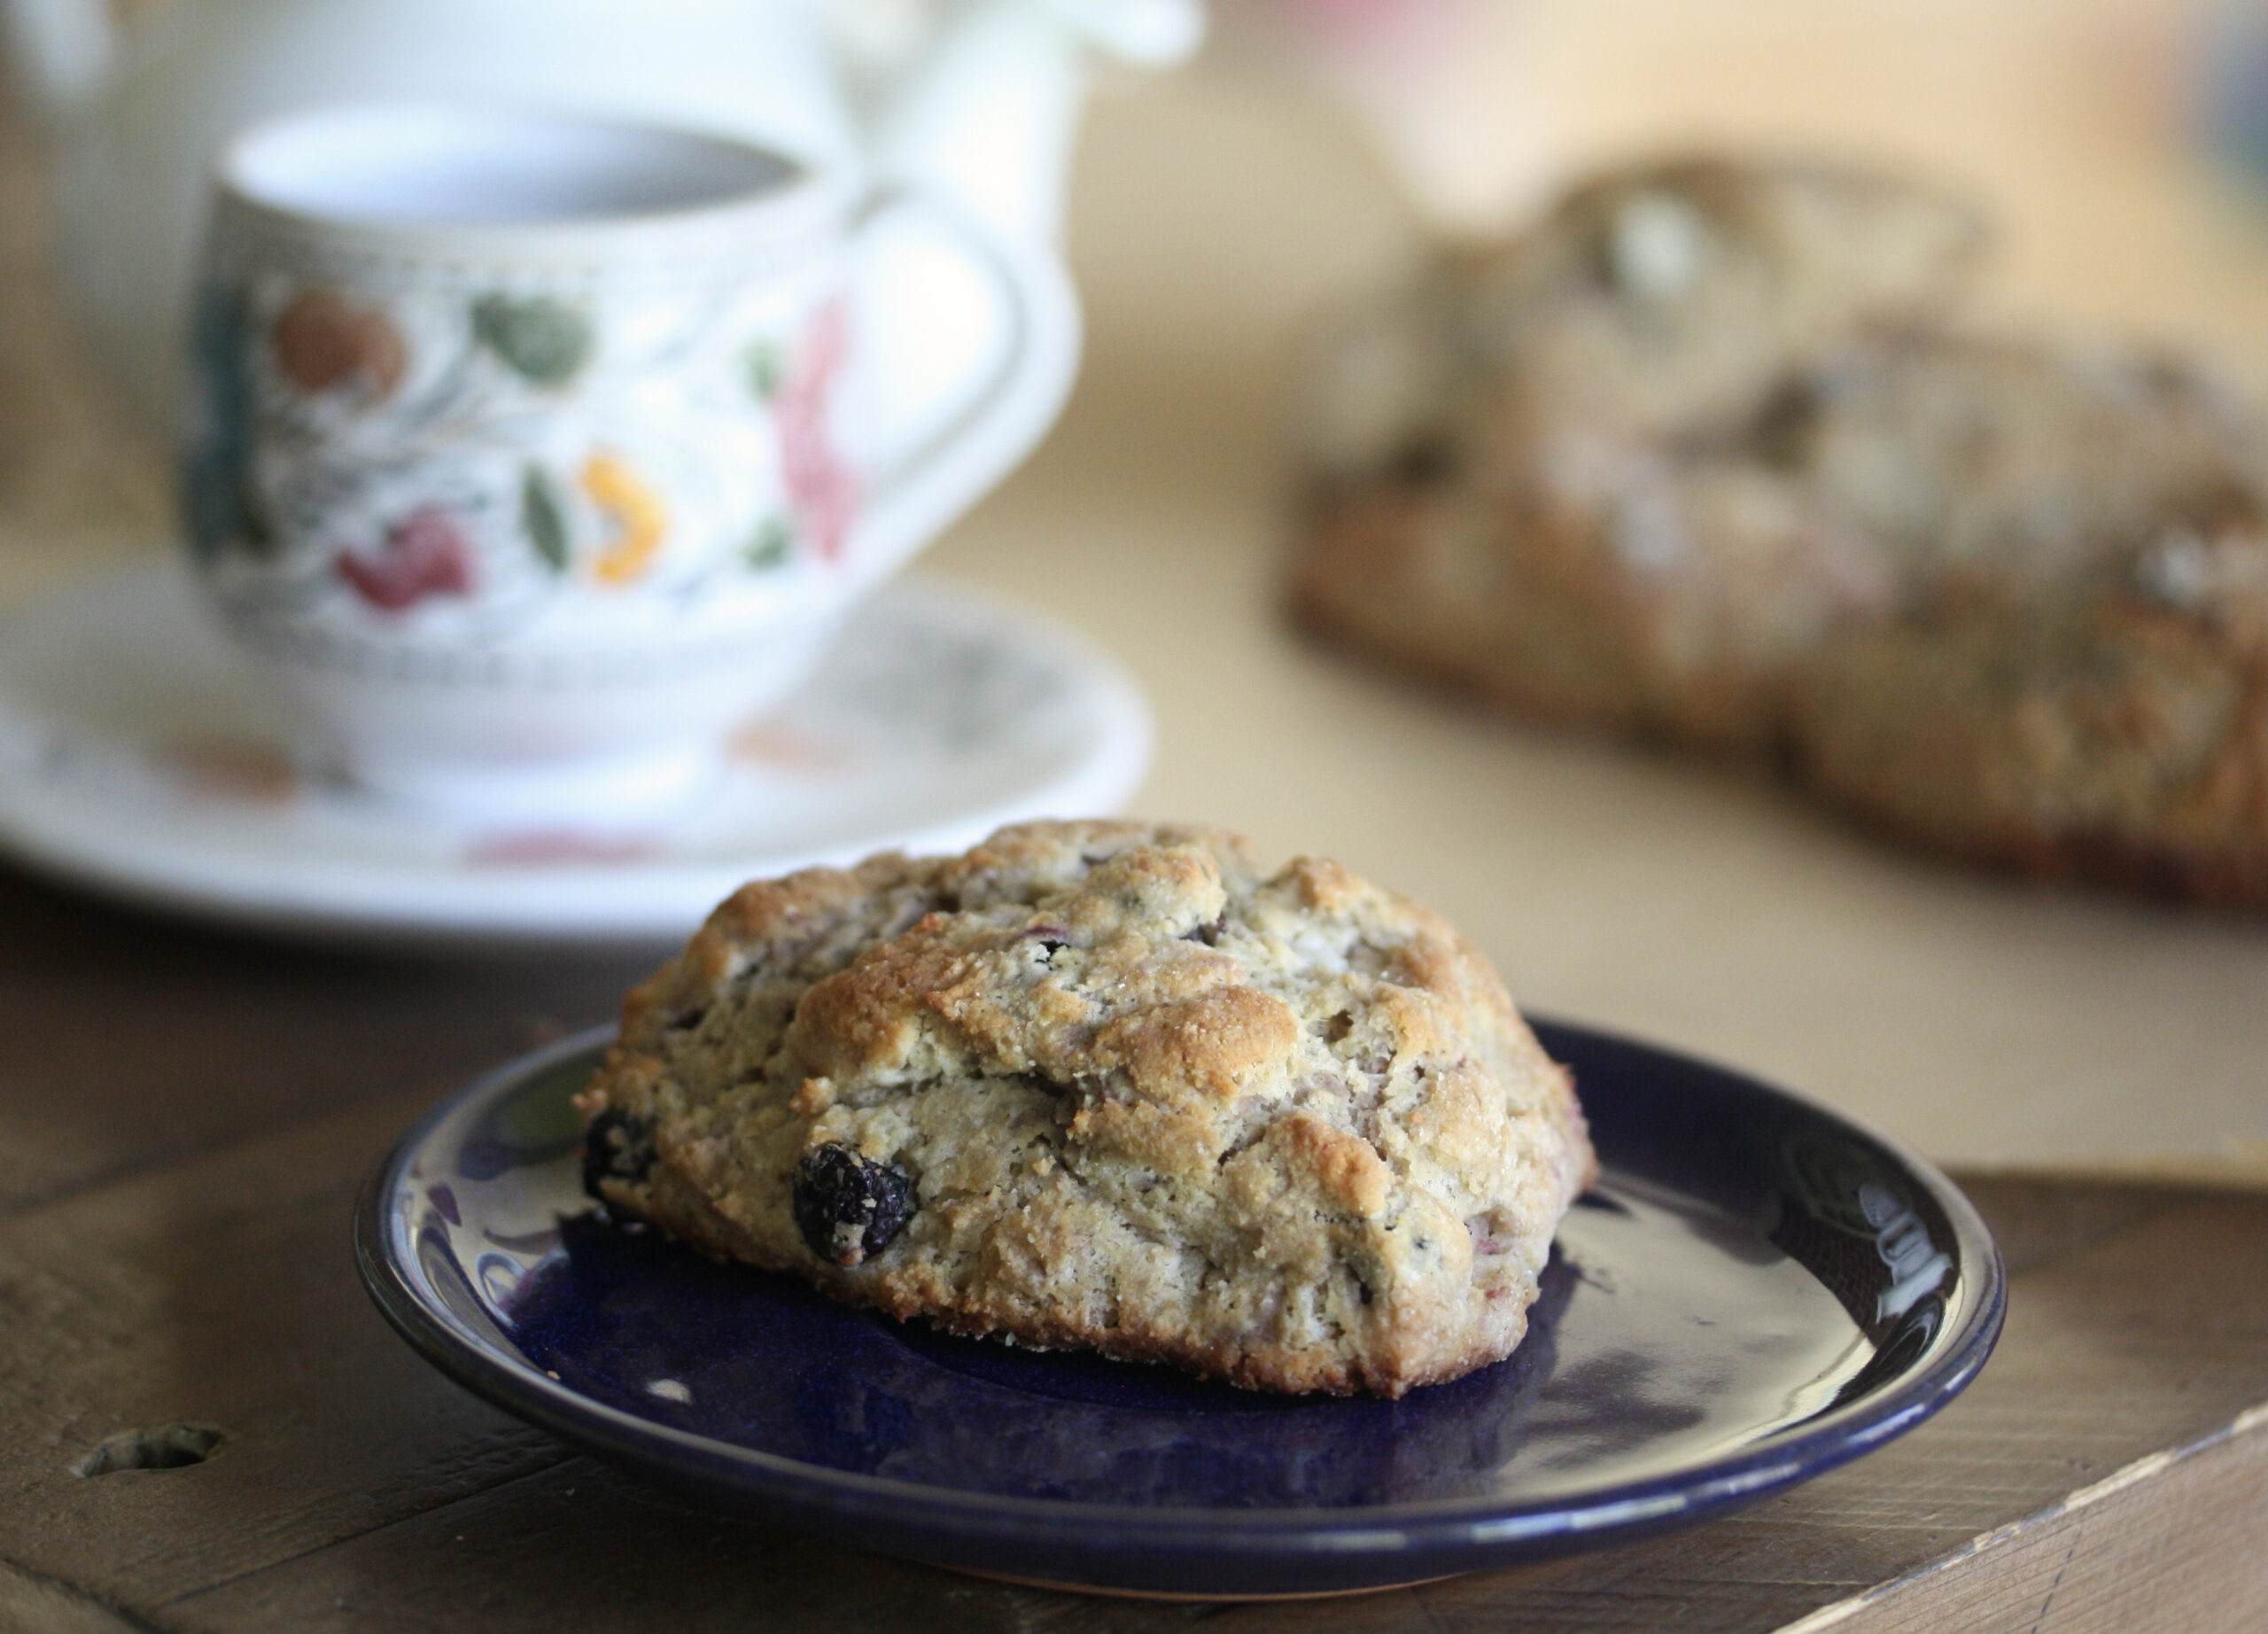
(221, 1290)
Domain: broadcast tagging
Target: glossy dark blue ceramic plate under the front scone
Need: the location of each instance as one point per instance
(1754, 1292)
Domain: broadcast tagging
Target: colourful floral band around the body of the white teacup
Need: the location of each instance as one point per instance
(509, 450)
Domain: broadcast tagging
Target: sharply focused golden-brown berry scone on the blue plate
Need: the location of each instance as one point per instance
(1103, 1086)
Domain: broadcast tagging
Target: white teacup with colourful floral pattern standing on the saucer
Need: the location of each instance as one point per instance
(530, 455)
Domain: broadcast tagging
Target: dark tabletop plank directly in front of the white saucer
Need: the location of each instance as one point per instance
(130, 1038)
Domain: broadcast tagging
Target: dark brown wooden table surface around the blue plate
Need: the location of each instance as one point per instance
(187, 1120)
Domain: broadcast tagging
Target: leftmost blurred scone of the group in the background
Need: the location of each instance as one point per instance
(1552, 471)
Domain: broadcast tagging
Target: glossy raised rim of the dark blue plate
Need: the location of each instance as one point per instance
(1491, 1531)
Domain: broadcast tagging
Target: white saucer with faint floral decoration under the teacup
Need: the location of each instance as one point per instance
(137, 759)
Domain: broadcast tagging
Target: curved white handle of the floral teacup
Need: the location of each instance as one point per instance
(945, 466)
